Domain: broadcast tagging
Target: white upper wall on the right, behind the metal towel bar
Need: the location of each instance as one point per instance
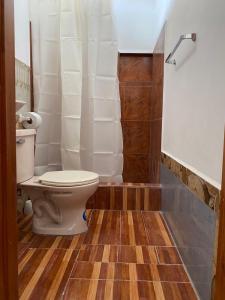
(194, 93)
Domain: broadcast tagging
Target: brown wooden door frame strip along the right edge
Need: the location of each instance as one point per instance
(220, 272)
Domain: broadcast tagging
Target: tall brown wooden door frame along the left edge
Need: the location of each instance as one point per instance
(8, 225)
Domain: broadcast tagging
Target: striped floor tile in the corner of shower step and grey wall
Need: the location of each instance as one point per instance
(157, 232)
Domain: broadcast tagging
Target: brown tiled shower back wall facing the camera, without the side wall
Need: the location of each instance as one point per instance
(135, 75)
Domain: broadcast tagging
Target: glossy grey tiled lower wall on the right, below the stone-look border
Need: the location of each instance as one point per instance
(193, 226)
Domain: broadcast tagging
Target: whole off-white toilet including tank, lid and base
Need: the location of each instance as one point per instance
(59, 197)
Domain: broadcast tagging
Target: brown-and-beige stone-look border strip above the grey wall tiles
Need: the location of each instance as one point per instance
(209, 194)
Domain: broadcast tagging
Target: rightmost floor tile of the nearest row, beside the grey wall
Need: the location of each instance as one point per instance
(178, 291)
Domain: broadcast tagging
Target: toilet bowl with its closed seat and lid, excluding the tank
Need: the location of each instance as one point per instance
(59, 200)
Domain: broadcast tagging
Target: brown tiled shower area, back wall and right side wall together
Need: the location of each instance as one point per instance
(141, 93)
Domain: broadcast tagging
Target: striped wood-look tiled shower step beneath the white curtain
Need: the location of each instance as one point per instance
(127, 197)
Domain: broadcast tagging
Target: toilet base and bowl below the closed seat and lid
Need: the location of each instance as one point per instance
(59, 210)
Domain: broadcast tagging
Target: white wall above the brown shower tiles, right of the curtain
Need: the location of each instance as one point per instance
(139, 23)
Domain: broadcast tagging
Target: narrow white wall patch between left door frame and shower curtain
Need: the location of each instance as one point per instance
(21, 13)
